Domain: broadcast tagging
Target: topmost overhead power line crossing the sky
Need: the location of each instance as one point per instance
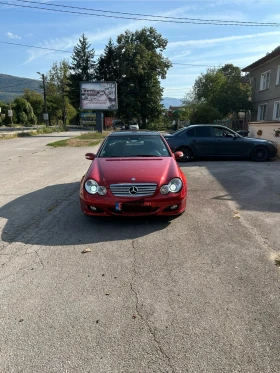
(150, 15)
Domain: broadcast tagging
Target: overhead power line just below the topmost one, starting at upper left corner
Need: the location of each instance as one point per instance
(197, 22)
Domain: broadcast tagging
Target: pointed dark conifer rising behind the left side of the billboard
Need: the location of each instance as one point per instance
(82, 68)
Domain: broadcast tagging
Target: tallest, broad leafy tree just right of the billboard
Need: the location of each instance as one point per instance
(136, 63)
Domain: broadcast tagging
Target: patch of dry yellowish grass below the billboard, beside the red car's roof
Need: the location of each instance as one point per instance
(86, 139)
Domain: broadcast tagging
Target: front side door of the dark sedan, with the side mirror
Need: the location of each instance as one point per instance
(228, 144)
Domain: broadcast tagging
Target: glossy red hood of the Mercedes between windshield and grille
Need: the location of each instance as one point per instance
(108, 171)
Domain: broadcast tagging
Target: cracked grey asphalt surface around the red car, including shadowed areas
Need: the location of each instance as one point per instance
(198, 294)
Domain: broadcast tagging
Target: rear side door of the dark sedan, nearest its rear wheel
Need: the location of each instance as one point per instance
(203, 143)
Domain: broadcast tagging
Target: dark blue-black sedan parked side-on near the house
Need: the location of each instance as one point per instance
(204, 140)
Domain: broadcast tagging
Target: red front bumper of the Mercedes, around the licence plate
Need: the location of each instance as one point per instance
(110, 205)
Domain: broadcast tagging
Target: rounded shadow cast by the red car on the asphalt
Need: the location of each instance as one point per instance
(52, 217)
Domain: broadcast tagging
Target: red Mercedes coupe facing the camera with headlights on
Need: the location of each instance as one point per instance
(134, 173)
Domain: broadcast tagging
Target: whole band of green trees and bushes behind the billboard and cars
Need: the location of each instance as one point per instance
(135, 61)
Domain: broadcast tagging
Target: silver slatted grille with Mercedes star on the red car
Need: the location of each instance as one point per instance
(133, 190)
